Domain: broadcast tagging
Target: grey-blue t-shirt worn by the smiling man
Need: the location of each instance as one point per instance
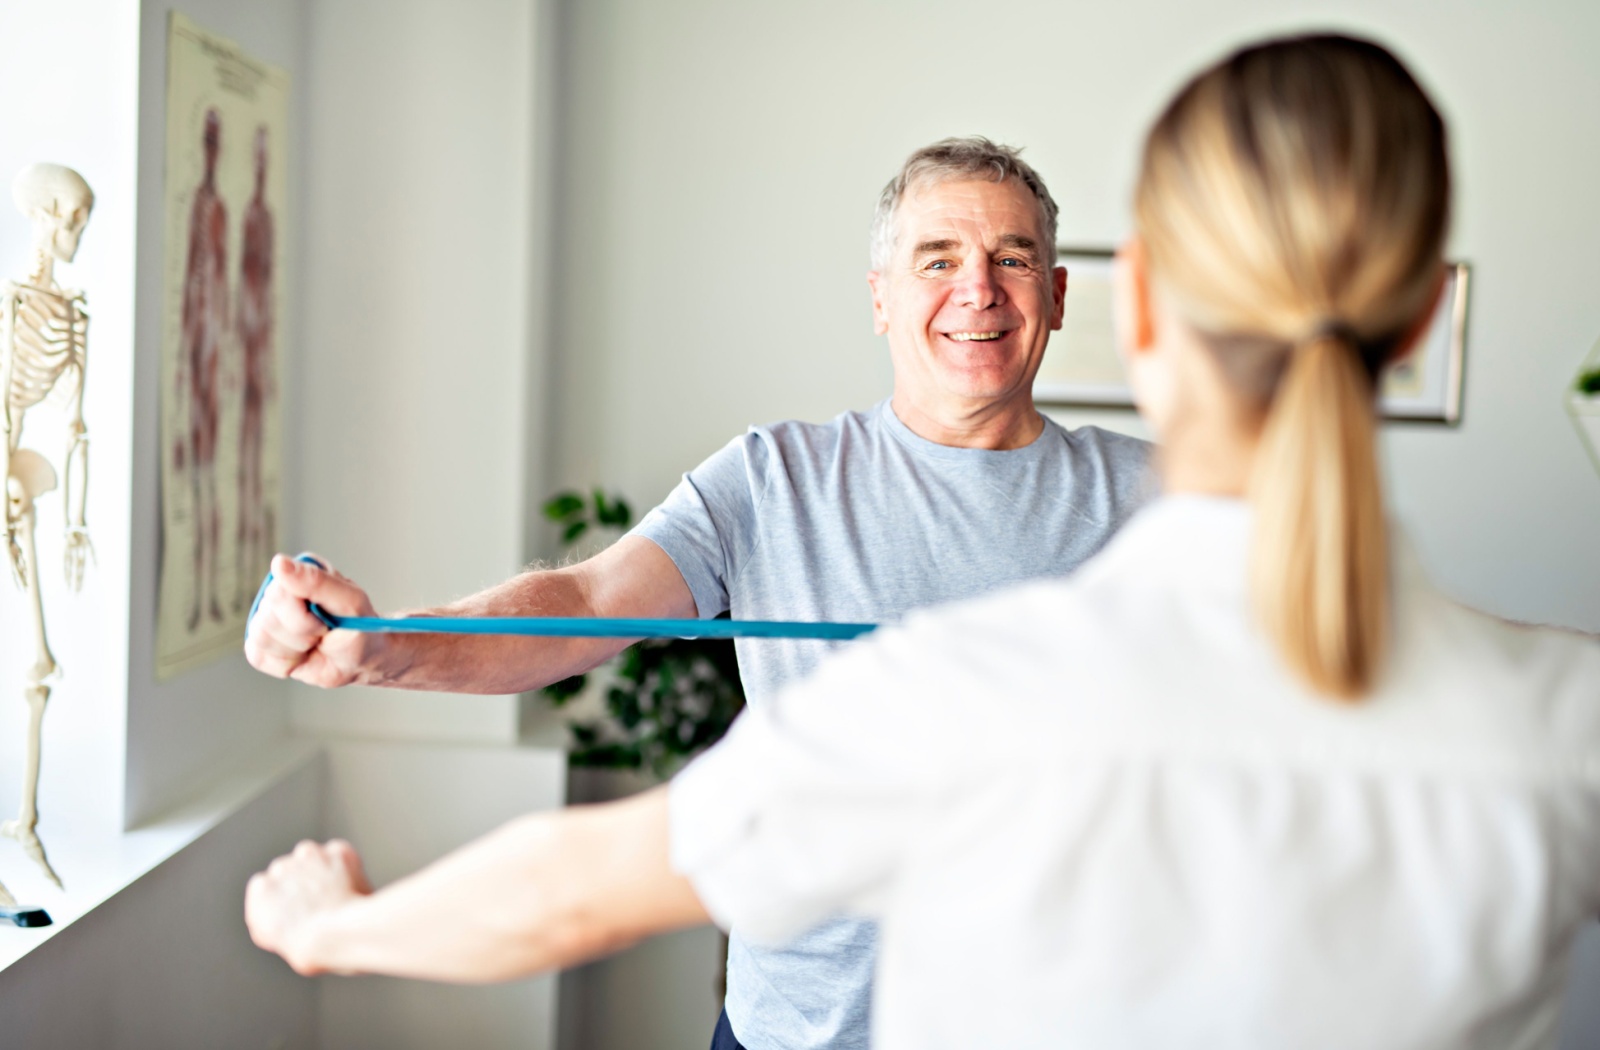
(860, 519)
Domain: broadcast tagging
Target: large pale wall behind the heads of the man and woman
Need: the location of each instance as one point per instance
(721, 162)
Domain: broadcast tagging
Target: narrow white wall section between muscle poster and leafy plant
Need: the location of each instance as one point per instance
(420, 348)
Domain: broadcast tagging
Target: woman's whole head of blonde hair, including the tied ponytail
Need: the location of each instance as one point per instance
(1294, 204)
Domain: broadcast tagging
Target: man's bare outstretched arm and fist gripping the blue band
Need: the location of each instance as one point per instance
(631, 579)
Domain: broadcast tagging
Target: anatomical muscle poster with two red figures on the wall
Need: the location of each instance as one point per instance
(223, 331)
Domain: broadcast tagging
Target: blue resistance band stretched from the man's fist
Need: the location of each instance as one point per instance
(578, 627)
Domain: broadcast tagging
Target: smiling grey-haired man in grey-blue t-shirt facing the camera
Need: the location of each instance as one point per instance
(950, 489)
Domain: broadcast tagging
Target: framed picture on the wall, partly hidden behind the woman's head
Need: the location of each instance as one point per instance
(1084, 369)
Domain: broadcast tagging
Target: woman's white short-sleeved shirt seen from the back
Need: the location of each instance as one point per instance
(1098, 812)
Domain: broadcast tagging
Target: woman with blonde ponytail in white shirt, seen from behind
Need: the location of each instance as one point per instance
(1242, 782)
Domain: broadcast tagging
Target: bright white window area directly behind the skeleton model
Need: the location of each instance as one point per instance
(79, 55)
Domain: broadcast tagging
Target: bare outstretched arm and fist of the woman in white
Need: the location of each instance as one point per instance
(542, 892)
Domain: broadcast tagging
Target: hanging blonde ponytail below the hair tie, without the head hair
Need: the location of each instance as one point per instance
(1321, 555)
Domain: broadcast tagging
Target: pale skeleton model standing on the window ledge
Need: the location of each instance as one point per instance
(44, 339)
